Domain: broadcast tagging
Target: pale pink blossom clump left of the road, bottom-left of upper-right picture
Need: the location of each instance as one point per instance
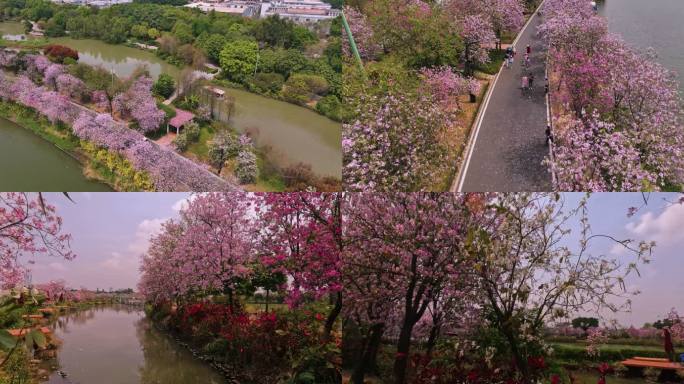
(395, 143)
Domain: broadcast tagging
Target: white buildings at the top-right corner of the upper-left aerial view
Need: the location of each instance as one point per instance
(300, 11)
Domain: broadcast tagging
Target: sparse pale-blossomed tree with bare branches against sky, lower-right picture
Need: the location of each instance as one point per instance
(531, 274)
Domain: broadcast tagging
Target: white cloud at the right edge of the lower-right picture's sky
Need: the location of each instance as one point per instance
(664, 228)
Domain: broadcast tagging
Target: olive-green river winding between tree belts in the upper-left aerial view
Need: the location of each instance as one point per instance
(295, 134)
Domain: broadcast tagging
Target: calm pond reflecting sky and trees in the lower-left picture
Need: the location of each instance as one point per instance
(116, 345)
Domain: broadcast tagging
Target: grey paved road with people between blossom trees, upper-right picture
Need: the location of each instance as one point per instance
(510, 144)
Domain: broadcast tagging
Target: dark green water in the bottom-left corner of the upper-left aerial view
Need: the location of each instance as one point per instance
(29, 163)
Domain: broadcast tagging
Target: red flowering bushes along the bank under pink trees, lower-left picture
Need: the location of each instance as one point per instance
(265, 343)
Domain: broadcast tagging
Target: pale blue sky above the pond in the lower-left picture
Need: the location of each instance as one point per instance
(110, 231)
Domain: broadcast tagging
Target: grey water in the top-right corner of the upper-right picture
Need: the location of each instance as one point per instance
(652, 23)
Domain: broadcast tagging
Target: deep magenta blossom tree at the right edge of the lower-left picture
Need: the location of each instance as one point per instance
(301, 237)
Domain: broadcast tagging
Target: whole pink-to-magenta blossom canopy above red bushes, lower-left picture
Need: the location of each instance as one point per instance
(220, 236)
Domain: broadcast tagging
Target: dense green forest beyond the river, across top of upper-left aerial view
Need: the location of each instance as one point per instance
(271, 56)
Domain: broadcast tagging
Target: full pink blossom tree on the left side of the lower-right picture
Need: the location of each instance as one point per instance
(403, 251)
